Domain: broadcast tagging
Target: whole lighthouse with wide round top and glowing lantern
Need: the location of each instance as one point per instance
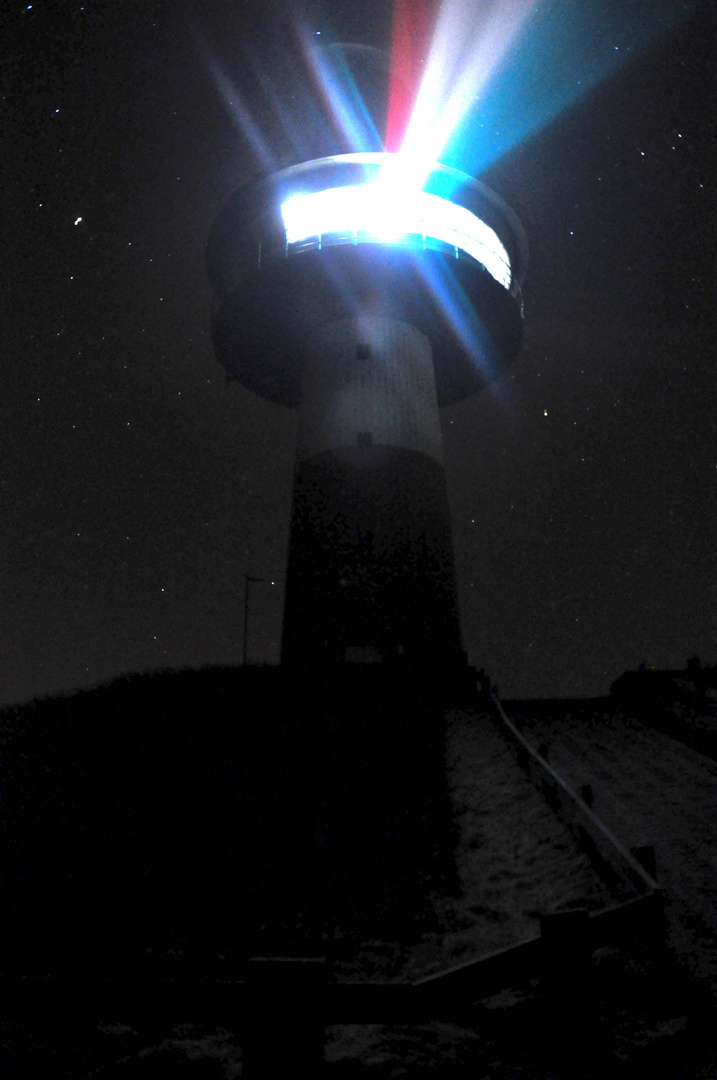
(368, 303)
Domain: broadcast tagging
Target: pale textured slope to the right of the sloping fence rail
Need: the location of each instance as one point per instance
(648, 789)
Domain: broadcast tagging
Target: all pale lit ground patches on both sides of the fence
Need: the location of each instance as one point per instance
(516, 860)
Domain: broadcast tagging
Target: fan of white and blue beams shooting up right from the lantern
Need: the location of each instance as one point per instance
(497, 72)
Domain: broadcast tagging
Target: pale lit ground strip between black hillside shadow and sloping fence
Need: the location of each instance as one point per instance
(516, 860)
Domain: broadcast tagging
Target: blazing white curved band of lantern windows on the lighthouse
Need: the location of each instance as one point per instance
(389, 212)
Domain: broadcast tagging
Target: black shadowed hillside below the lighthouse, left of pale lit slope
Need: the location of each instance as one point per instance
(218, 812)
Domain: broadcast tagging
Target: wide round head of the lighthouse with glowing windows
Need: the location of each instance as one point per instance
(341, 236)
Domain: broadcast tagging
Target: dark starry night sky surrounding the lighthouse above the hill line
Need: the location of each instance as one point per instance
(138, 487)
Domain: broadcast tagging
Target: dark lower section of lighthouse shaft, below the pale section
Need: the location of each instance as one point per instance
(371, 574)
